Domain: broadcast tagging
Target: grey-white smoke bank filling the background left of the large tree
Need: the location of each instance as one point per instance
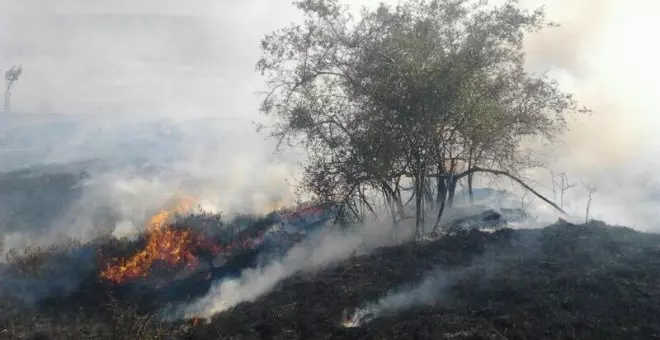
(160, 95)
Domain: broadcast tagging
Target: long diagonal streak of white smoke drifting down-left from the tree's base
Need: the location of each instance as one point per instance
(319, 251)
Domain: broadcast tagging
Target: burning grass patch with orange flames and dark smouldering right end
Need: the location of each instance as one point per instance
(175, 239)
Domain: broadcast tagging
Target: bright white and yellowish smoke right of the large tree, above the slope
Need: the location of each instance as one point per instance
(602, 54)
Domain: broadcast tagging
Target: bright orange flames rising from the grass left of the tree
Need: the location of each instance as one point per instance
(167, 244)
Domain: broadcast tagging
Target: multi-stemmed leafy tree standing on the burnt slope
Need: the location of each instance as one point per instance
(406, 95)
